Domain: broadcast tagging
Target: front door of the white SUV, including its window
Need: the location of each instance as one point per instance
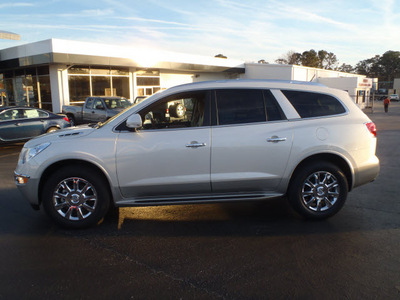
(168, 157)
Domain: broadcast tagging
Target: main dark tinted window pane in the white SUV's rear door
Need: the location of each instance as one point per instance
(240, 106)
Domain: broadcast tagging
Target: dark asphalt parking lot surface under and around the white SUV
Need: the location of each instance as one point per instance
(219, 251)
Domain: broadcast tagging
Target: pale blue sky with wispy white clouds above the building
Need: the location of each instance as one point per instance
(248, 30)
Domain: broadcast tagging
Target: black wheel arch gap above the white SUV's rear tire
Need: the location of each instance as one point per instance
(339, 161)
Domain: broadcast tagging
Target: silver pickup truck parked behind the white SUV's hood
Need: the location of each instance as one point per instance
(95, 109)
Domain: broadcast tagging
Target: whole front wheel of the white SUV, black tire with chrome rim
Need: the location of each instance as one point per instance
(84, 203)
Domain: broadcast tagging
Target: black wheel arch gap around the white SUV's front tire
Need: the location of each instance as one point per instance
(80, 164)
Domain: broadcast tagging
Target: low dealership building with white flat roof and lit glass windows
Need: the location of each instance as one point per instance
(52, 73)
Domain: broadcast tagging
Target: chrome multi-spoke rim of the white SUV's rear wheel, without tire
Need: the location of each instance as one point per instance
(320, 191)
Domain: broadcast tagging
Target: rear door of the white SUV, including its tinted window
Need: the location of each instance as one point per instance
(251, 143)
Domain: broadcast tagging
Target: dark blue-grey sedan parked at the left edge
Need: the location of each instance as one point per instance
(23, 123)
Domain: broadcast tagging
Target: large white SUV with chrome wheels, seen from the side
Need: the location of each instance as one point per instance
(238, 140)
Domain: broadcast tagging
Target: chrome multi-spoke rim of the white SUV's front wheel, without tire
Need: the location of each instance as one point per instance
(75, 198)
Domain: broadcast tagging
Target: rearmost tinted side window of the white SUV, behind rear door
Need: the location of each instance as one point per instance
(310, 105)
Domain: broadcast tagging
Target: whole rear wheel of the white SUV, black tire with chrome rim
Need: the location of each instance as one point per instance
(318, 190)
